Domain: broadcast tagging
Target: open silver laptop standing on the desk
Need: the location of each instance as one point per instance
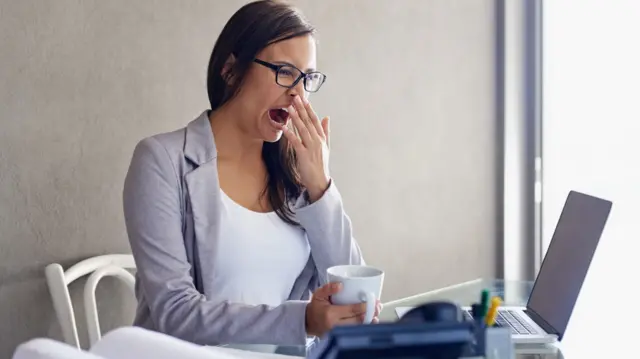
(555, 291)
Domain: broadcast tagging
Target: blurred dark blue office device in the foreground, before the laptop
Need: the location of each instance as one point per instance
(435, 330)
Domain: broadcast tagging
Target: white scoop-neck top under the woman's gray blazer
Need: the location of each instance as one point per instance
(258, 256)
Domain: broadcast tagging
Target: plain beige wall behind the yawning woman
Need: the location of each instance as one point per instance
(410, 92)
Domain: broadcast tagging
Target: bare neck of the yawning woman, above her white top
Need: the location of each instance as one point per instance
(232, 142)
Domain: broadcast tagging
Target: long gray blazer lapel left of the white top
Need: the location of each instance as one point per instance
(203, 188)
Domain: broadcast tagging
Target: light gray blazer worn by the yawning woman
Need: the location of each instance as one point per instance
(172, 214)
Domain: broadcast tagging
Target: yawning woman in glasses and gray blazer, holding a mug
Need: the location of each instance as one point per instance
(234, 220)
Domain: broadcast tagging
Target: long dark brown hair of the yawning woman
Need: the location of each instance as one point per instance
(252, 28)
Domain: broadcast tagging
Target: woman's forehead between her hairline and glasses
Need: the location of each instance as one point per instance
(299, 51)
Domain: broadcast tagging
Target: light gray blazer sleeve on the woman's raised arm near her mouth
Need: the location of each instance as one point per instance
(329, 231)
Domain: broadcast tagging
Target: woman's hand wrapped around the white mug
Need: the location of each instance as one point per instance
(322, 315)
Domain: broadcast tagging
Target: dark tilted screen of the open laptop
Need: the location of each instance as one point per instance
(567, 260)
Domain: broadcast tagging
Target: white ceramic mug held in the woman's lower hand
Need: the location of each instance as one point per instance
(360, 284)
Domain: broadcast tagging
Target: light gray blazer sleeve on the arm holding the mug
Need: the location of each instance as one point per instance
(153, 217)
